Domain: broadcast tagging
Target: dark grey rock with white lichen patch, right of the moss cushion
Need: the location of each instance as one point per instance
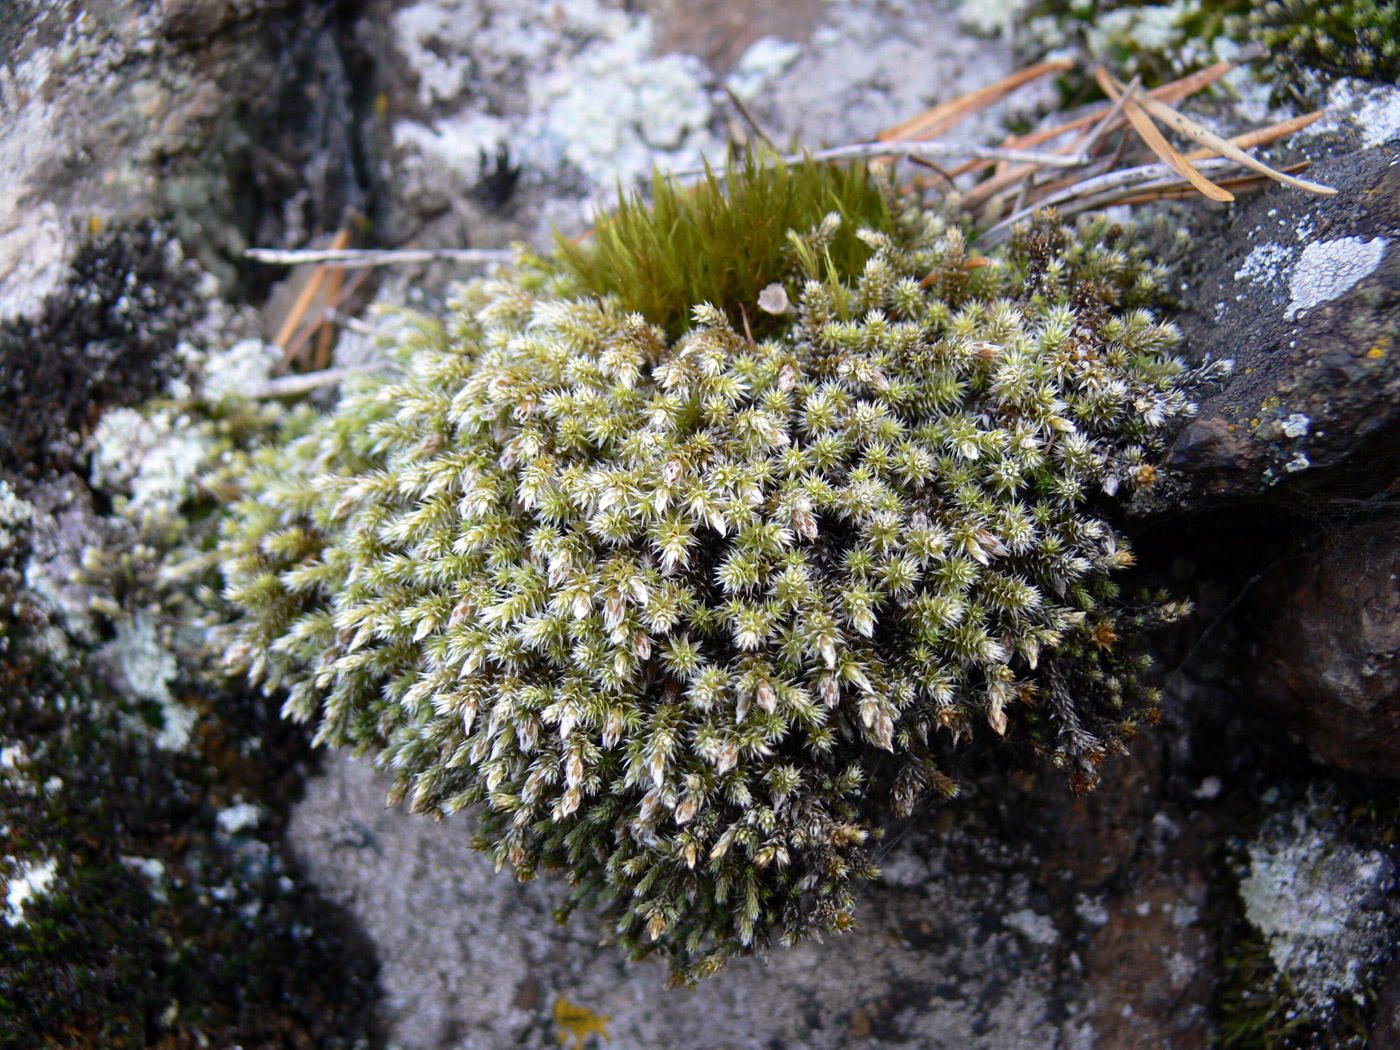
(1304, 295)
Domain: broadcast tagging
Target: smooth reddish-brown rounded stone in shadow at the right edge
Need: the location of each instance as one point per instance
(1328, 647)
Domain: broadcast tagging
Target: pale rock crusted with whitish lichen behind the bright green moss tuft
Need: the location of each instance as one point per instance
(596, 96)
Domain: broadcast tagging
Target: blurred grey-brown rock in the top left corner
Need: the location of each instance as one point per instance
(121, 110)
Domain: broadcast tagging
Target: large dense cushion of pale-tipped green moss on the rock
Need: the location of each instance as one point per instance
(687, 618)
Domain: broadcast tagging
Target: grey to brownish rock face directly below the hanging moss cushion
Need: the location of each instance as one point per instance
(955, 948)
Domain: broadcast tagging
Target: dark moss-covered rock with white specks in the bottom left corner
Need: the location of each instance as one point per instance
(157, 926)
